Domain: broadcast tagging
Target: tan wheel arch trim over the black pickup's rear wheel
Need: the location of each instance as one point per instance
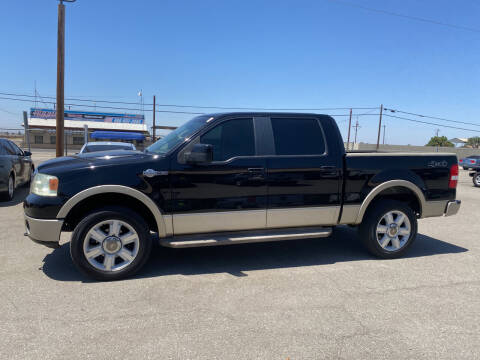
(392, 189)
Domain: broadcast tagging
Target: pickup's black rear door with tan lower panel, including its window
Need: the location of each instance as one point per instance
(304, 176)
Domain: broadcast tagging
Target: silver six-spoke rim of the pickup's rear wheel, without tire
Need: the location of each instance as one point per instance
(393, 230)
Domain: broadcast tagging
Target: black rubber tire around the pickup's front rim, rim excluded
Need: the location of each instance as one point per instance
(112, 213)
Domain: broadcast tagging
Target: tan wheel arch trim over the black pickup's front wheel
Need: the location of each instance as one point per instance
(123, 196)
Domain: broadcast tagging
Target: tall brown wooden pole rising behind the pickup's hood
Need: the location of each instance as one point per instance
(60, 105)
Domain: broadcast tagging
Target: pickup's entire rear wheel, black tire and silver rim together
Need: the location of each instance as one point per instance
(394, 243)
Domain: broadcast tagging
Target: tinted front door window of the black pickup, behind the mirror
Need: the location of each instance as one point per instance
(231, 138)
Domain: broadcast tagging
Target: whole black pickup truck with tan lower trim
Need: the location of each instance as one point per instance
(234, 178)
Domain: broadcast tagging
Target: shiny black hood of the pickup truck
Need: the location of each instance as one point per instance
(95, 159)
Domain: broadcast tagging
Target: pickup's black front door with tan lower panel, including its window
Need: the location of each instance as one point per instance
(227, 194)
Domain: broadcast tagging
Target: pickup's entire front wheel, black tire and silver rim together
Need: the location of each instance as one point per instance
(111, 258)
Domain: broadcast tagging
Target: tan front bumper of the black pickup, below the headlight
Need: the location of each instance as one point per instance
(44, 231)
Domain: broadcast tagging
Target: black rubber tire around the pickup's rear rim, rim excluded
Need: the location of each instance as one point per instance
(368, 227)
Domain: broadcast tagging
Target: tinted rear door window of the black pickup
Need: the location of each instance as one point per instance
(298, 136)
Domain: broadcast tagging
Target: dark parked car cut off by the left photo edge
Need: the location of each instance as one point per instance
(16, 168)
